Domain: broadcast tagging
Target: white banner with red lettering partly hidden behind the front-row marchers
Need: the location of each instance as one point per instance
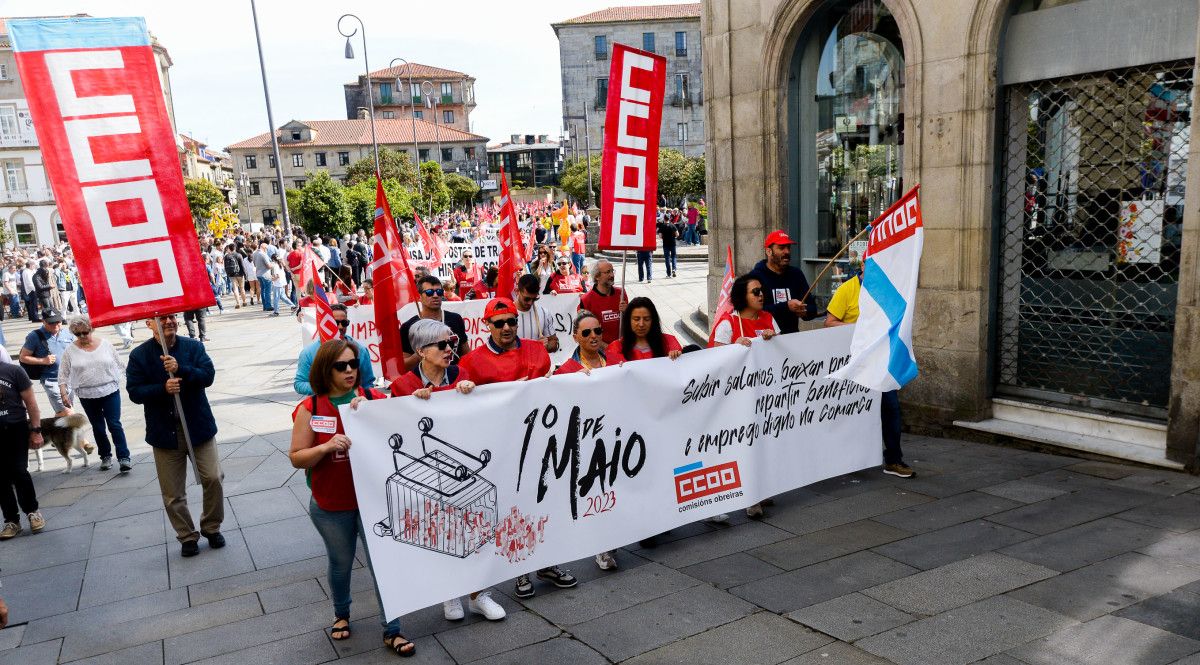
(561, 309)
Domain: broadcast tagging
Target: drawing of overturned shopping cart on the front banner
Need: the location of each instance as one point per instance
(437, 501)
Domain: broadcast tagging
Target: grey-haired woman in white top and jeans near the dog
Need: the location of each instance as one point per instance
(92, 370)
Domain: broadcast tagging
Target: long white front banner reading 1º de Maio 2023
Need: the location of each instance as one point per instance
(560, 469)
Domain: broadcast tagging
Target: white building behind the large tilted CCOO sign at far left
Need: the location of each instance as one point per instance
(27, 200)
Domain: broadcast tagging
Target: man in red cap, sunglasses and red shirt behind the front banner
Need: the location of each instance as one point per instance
(506, 357)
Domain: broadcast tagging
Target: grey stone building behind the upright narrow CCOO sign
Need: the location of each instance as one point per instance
(585, 45)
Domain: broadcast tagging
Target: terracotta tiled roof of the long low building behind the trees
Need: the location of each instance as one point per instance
(358, 133)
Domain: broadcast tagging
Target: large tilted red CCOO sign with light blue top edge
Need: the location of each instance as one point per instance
(110, 151)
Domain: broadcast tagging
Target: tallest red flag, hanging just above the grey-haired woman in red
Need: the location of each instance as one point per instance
(394, 286)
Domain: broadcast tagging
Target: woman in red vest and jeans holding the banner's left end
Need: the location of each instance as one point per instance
(321, 446)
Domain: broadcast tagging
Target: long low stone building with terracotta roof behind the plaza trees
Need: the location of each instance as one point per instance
(333, 146)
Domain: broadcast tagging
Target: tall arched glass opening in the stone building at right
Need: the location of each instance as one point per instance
(845, 116)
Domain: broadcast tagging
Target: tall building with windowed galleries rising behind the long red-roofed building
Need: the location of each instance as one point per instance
(433, 94)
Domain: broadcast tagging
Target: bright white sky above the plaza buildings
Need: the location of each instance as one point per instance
(507, 45)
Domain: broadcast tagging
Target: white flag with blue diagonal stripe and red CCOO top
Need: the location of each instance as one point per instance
(881, 350)
